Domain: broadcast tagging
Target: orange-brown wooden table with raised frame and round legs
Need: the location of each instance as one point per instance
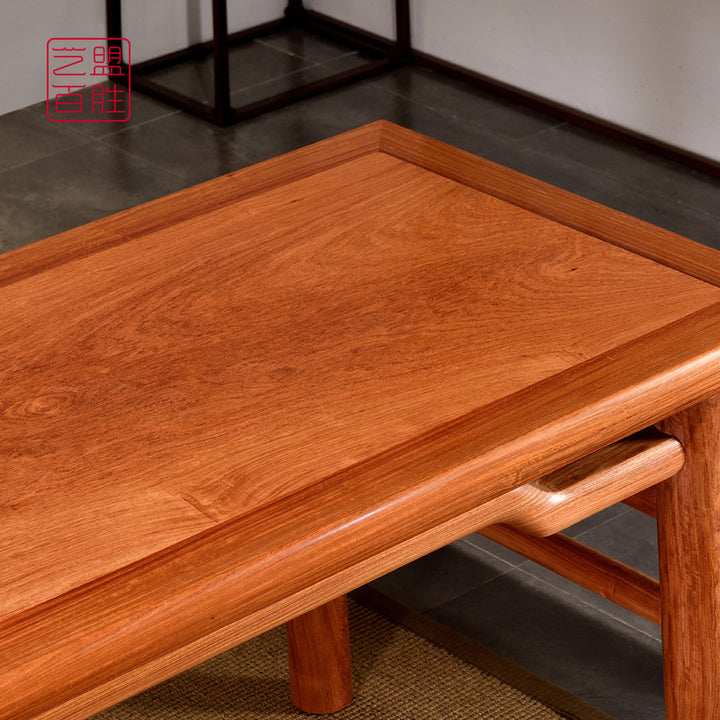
(227, 407)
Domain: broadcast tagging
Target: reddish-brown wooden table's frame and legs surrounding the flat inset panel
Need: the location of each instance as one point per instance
(107, 640)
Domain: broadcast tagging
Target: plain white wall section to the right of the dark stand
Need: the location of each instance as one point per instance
(652, 66)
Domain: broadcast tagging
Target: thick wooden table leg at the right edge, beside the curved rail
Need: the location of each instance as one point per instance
(688, 508)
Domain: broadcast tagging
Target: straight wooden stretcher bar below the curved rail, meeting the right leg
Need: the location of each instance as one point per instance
(586, 566)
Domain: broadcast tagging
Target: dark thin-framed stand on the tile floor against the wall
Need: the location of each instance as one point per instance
(384, 55)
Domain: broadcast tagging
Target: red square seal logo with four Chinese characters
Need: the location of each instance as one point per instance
(76, 69)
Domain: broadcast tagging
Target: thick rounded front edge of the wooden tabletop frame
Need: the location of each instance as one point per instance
(202, 585)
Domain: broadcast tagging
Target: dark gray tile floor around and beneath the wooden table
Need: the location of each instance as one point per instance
(55, 176)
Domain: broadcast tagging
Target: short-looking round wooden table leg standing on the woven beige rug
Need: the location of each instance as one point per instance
(319, 654)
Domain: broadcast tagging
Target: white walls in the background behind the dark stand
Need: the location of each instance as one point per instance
(652, 66)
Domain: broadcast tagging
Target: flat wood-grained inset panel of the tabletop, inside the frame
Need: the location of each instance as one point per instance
(216, 363)
